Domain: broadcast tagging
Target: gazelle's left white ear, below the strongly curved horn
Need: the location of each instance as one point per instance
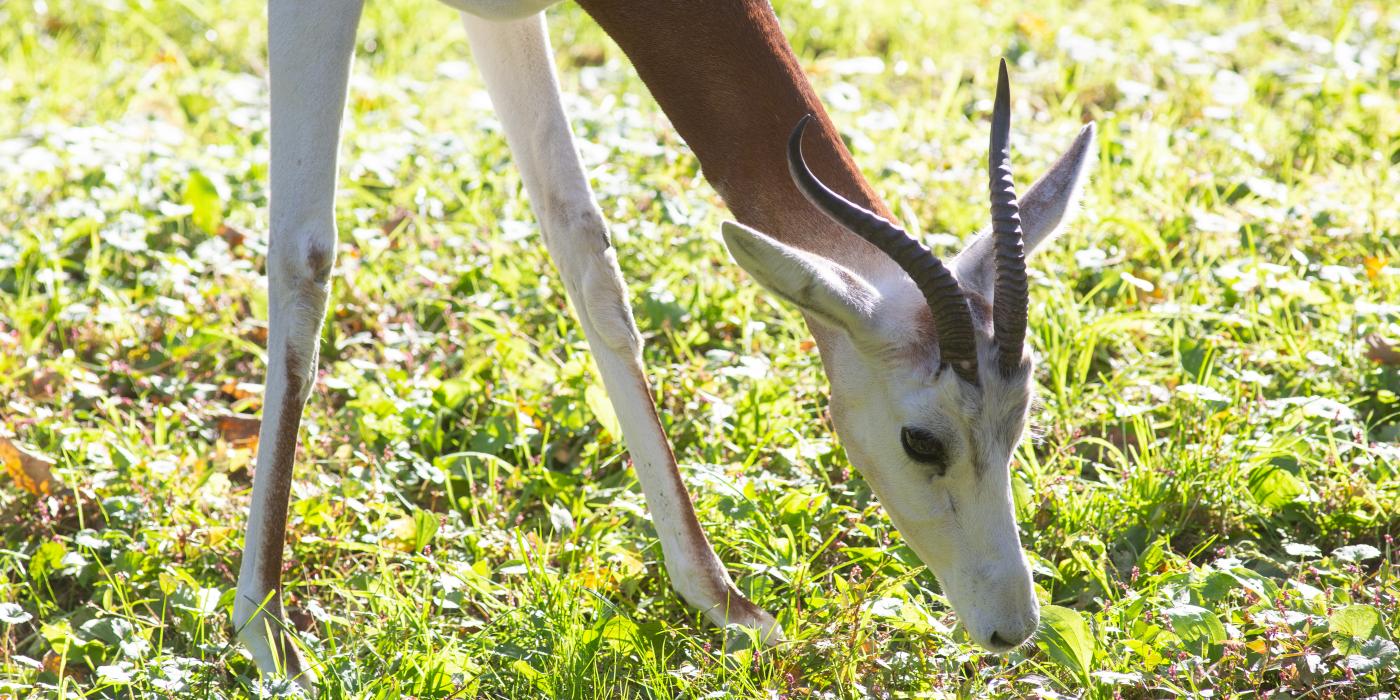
(831, 293)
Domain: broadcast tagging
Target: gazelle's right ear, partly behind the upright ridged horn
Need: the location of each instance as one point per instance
(1045, 209)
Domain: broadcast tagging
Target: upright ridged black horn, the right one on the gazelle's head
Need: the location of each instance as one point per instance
(1010, 303)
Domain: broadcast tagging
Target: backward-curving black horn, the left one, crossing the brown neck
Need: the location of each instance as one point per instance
(953, 321)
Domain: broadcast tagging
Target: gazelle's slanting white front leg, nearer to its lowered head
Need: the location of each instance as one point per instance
(519, 69)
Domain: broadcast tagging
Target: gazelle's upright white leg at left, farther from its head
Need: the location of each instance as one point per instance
(310, 45)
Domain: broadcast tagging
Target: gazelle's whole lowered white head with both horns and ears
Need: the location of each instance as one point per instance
(930, 374)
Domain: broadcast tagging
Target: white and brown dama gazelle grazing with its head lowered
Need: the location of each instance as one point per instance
(930, 374)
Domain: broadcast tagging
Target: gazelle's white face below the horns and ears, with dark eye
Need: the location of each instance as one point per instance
(937, 451)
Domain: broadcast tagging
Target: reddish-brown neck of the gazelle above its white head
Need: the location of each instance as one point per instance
(729, 82)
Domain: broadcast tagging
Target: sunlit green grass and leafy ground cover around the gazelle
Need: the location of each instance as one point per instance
(464, 523)
